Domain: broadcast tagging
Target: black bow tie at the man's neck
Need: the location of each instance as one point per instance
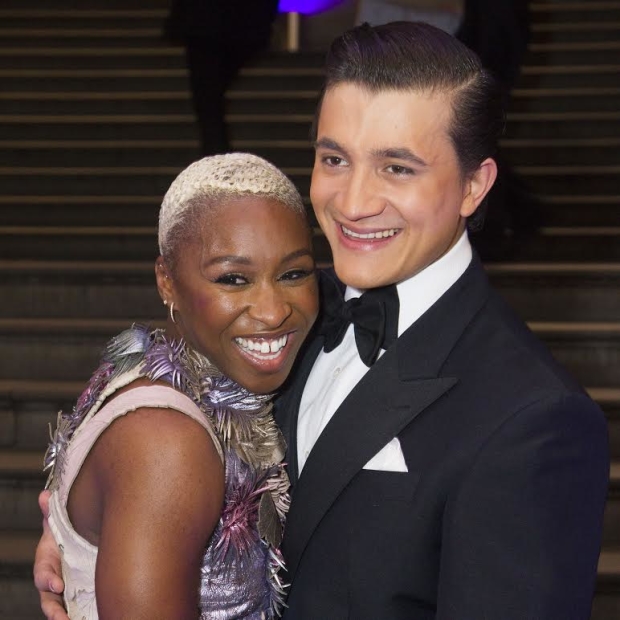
(374, 316)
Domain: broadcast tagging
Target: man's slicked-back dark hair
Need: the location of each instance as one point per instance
(417, 57)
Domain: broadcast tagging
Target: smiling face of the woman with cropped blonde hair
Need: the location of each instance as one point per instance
(244, 290)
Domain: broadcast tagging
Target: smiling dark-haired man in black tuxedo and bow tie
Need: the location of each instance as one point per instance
(457, 473)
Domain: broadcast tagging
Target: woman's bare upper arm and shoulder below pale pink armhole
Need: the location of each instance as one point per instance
(161, 482)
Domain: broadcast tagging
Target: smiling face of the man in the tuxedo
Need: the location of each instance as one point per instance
(386, 188)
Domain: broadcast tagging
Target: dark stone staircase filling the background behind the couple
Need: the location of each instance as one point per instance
(95, 122)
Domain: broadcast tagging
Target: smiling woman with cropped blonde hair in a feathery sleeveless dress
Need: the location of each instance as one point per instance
(168, 491)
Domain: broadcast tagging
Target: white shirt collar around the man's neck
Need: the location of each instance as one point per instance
(418, 293)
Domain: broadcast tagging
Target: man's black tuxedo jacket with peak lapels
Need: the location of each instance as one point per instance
(500, 514)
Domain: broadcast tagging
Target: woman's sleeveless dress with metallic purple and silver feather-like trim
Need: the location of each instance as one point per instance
(241, 563)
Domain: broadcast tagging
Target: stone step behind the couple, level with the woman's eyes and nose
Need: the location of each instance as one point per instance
(114, 289)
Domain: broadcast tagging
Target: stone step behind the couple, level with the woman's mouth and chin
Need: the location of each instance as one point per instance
(69, 349)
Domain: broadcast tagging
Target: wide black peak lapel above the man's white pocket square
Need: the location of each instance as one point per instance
(404, 382)
